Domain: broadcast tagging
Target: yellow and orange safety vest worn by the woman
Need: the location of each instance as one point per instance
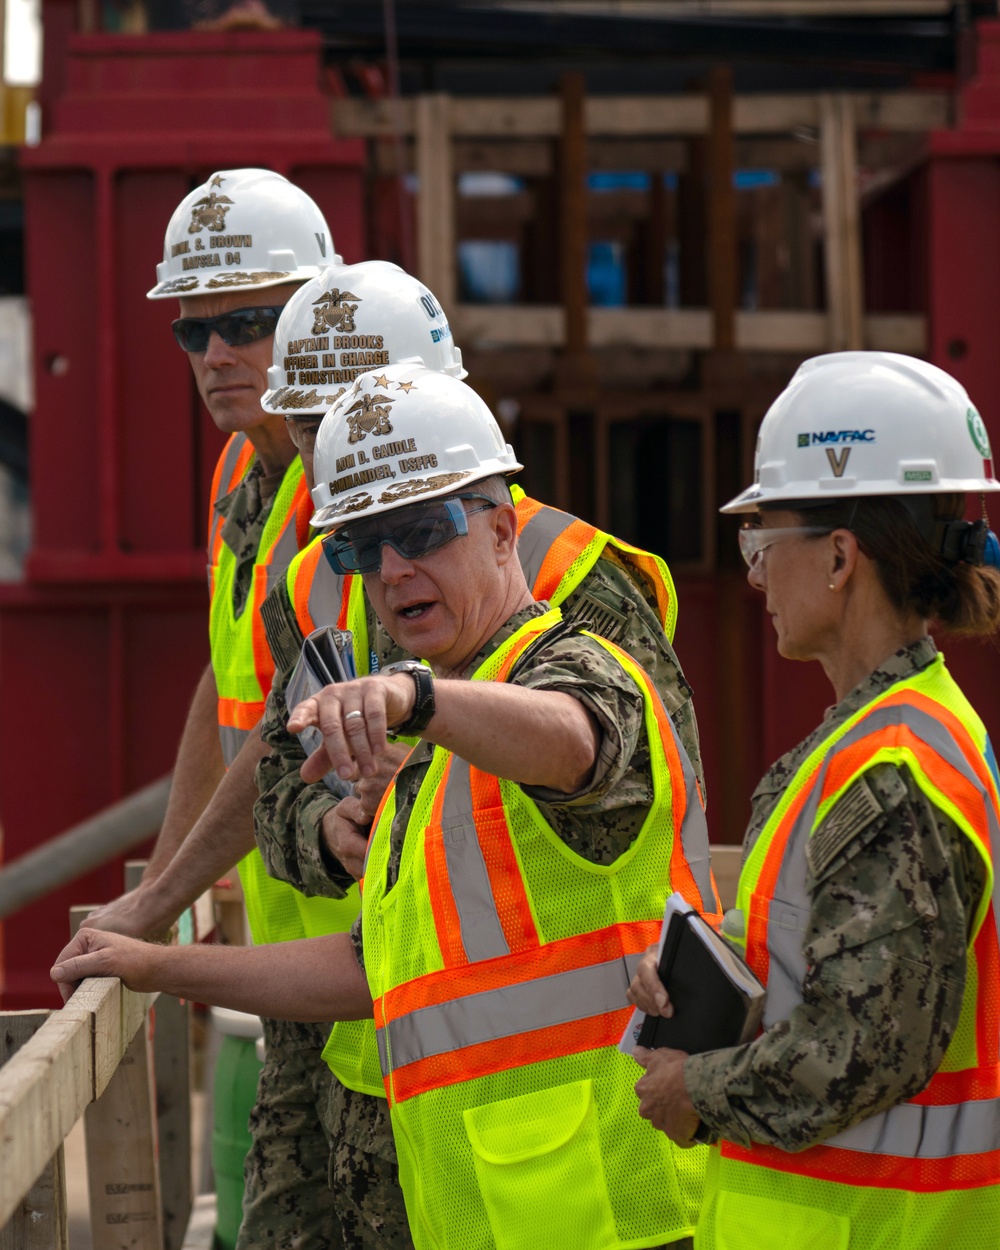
(926, 1174)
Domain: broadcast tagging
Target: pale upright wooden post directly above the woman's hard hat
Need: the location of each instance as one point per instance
(846, 301)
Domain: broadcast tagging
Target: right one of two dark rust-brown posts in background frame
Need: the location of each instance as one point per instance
(723, 259)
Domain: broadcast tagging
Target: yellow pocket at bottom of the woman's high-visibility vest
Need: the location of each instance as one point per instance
(744, 1222)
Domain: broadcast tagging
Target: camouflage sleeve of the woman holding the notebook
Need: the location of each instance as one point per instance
(894, 887)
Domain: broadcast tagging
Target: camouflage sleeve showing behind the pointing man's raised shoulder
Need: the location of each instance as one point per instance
(621, 606)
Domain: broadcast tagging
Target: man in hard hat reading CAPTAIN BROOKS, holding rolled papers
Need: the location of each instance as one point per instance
(352, 317)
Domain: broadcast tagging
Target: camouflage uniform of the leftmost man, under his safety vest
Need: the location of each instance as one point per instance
(286, 1173)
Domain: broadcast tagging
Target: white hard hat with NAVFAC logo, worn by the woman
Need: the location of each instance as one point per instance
(868, 423)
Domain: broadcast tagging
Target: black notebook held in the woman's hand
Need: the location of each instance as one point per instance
(718, 1001)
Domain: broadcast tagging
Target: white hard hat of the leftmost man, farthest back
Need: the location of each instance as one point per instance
(242, 228)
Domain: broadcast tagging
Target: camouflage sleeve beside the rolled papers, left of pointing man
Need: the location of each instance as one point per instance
(288, 816)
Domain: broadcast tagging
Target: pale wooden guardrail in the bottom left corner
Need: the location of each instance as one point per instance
(96, 1059)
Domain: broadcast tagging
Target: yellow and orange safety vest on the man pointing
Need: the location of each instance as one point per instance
(498, 966)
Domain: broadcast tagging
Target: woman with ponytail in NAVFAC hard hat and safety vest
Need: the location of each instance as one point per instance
(867, 1113)
